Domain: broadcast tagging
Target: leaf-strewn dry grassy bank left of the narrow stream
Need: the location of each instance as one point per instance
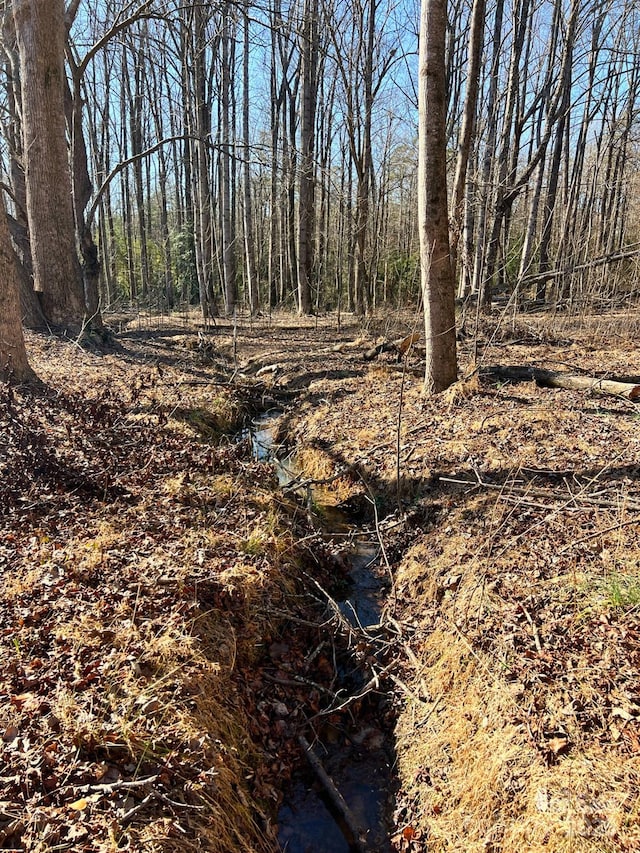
(129, 622)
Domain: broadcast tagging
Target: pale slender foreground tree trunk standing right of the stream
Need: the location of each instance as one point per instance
(435, 259)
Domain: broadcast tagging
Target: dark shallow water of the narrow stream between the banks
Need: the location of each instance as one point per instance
(357, 756)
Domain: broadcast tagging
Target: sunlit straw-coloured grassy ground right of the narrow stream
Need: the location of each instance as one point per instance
(520, 721)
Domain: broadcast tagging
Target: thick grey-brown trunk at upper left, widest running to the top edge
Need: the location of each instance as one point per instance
(41, 37)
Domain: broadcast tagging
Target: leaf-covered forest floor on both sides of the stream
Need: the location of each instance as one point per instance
(162, 642)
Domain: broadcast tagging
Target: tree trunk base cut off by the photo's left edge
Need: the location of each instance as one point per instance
(13, 356)
